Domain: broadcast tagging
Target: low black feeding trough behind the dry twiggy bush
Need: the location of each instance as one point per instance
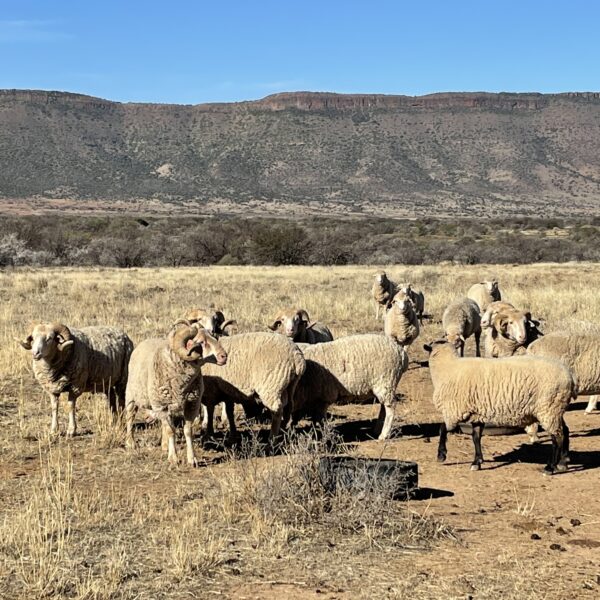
(366, 475)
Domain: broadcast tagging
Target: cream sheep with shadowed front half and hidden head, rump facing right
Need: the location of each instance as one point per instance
(355, 368)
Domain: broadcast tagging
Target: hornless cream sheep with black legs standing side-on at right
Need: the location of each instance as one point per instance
(518, 390)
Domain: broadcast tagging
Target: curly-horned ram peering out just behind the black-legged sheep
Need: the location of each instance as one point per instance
(507, 331)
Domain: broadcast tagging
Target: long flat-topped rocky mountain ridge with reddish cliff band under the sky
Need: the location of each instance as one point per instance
(452, 153)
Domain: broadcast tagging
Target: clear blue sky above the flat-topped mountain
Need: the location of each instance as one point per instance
(207, 51)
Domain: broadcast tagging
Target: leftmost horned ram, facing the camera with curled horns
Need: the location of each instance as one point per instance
(92, 359)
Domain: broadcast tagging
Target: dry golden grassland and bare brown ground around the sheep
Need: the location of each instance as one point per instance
(84, 518)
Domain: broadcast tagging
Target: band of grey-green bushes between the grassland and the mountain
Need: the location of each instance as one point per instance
(136, 242)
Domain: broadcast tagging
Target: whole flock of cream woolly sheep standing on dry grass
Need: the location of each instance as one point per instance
(298, 370)
